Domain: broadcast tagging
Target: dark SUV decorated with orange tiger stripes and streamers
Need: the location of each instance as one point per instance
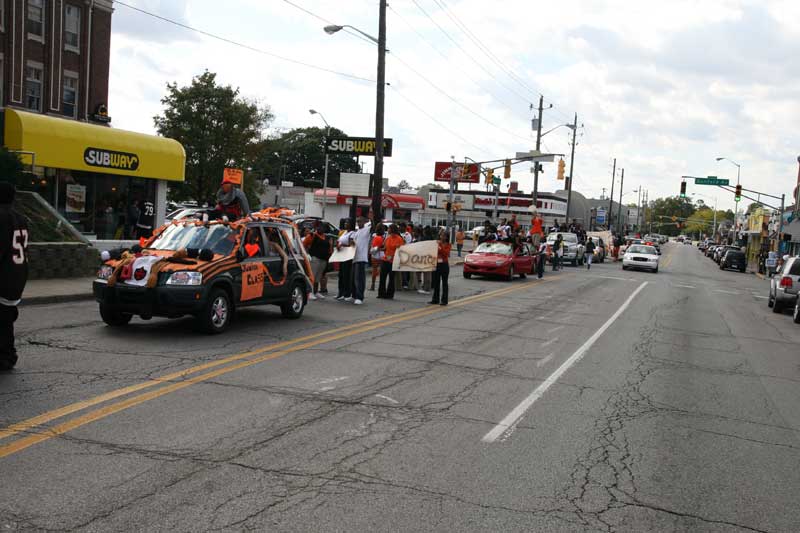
(207, 270)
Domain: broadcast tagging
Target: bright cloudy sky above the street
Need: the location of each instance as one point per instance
(663, 87)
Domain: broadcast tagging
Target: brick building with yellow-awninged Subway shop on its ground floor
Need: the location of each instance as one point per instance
(54, 65)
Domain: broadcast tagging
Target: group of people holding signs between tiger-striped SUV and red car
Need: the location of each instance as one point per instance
(376, 249)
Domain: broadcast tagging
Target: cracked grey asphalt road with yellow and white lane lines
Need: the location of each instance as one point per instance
(596, 400)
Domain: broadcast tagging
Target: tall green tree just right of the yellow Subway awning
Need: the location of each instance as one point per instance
(218, 128)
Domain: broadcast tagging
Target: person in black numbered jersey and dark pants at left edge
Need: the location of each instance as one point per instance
(13, 271)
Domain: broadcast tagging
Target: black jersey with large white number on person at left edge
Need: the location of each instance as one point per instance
(13, 255)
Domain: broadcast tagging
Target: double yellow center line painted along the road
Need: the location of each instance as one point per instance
(228, 364)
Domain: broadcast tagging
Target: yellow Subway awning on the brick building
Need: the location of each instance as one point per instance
(62, 143)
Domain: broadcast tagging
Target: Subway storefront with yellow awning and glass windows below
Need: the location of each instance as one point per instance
(103, 180)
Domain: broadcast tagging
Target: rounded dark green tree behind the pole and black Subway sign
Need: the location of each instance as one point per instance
(298, 156)
